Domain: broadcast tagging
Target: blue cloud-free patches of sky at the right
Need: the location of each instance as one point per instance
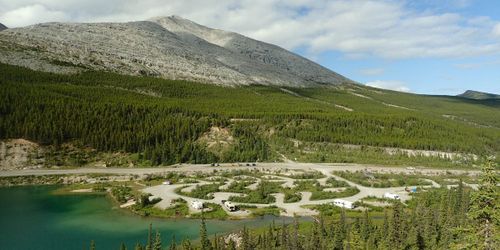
(427, 75)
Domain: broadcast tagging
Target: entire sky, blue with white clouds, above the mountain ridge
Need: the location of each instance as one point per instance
(421, 46)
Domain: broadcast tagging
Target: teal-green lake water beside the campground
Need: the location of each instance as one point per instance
(32, 218)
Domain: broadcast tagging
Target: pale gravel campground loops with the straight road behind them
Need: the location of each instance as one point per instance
(168, 194)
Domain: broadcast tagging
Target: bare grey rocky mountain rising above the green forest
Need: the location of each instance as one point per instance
(167, 47)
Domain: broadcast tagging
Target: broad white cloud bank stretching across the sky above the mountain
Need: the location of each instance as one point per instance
(386, 28)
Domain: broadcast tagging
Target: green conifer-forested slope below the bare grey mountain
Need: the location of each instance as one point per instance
(162, 120)
